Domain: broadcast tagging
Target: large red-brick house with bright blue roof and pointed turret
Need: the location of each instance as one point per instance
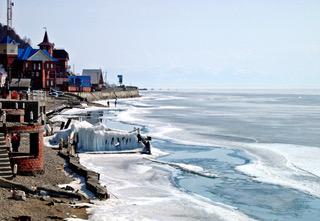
(47, 67)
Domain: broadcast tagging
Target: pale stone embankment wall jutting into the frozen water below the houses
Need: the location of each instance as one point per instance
(109, 93)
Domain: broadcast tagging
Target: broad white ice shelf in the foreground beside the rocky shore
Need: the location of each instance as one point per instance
(139, 195)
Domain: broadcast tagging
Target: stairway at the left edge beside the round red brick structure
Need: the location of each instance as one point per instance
(5, 167)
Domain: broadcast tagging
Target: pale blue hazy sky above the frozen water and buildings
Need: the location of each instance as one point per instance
(183, 43)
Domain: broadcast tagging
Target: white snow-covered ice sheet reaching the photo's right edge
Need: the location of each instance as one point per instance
(288, 165)
